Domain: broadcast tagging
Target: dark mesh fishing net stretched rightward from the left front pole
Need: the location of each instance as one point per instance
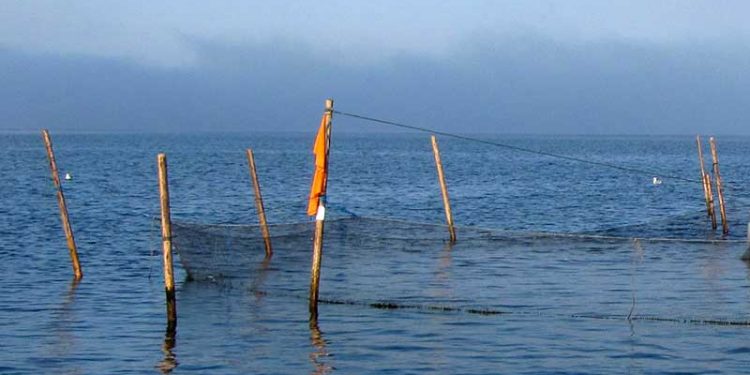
(397, 264)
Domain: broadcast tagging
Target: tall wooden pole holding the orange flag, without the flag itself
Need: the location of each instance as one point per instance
(319, 226)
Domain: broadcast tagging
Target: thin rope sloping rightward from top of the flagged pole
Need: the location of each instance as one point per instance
(515, 148)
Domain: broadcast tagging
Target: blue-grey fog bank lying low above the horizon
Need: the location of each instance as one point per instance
(487, 83)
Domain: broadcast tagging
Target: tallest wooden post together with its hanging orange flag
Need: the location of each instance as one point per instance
(316, 202)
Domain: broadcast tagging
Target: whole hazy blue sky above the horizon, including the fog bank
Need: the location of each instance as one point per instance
(538, 67)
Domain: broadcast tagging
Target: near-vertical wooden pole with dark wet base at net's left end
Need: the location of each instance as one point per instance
(166, 241)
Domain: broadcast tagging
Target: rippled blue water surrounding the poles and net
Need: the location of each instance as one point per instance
(564, 302)
